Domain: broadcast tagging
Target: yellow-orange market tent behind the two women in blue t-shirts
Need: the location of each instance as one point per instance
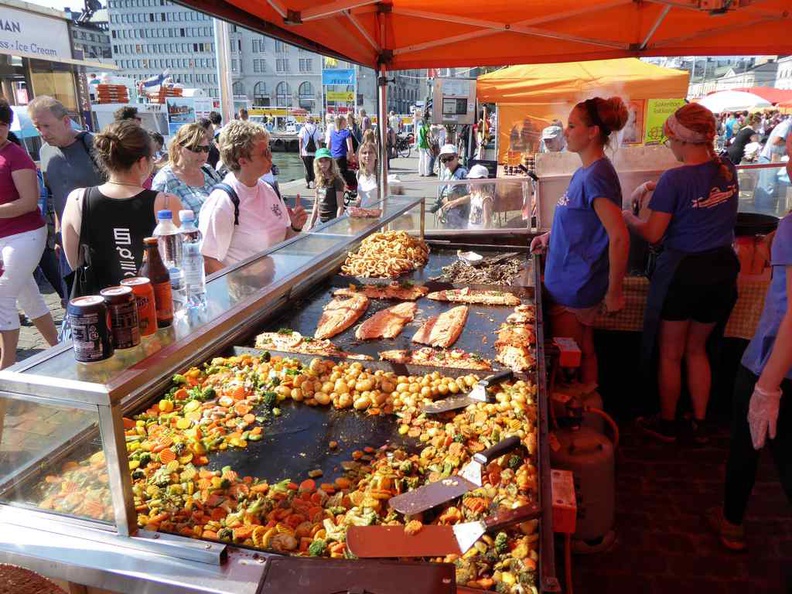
(529, 98)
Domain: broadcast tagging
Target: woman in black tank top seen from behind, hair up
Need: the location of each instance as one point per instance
(120, 213)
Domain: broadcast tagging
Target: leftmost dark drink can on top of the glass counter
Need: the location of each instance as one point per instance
(90, 324)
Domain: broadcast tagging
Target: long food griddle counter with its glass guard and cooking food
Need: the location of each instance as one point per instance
(184, 437)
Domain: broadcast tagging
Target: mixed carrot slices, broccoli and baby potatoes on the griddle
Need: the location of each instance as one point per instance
(222, 405)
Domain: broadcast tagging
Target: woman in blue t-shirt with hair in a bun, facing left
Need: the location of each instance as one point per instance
(588, 246)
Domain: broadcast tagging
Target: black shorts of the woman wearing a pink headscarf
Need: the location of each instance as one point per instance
(704, 288)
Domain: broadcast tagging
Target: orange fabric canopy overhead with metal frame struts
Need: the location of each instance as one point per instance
(402, 34)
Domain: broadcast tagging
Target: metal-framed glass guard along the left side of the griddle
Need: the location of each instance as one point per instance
(54, 409)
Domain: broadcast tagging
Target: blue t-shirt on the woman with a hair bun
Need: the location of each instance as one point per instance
(577, 268)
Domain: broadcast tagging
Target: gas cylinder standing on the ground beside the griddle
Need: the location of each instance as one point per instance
(589, 455)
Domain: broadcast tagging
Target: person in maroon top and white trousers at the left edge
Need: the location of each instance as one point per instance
(23, 235)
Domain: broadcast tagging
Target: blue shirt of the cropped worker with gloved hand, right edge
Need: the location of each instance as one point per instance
(776, 301)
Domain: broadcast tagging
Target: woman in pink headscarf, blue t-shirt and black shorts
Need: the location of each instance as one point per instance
(693, 211)
